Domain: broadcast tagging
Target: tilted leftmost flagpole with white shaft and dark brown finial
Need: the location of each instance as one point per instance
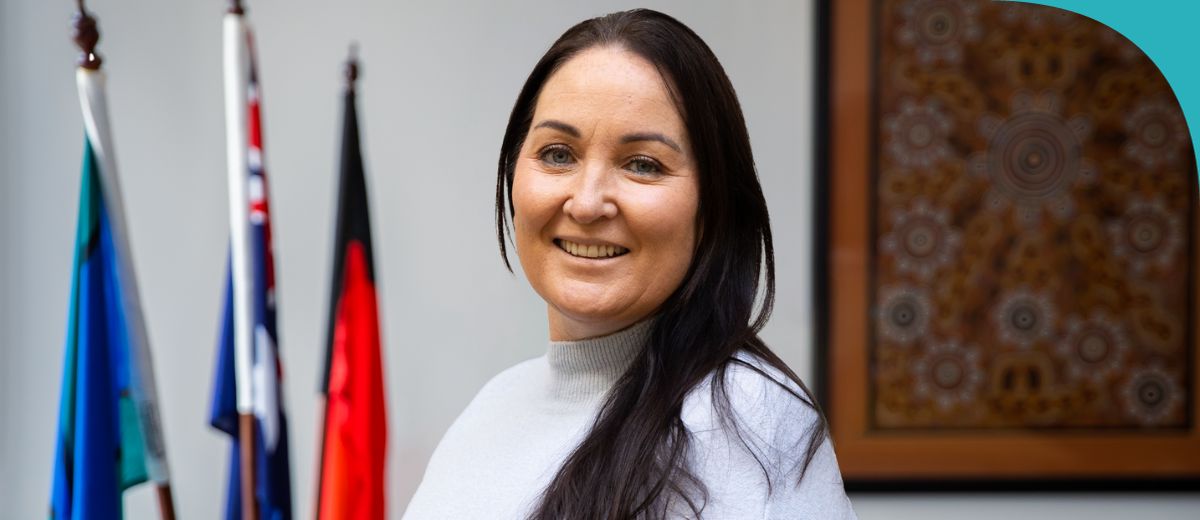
(143, 387)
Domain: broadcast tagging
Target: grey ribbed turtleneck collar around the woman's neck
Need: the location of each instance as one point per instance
(586, 369)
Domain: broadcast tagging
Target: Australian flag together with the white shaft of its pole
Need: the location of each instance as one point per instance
(249, 375)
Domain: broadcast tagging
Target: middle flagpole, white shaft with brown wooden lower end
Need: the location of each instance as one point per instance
(237, 67)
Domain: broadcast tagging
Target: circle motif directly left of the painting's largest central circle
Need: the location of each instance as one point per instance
(916, 138)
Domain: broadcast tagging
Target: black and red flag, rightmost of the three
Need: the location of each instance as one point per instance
(356, 429)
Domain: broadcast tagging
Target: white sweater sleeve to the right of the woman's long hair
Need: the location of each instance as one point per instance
(759, 471)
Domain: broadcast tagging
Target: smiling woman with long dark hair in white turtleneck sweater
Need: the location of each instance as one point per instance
(638, 217)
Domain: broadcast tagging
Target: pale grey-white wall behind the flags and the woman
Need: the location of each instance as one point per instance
(439, 82)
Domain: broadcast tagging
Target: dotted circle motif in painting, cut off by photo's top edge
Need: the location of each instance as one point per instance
(938, 29)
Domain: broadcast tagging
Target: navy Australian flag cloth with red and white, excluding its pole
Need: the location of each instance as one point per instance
(273, 480)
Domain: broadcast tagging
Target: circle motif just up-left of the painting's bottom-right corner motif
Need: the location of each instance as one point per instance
(1094, 349)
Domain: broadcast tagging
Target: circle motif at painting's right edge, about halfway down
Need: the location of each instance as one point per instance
(1148, 235)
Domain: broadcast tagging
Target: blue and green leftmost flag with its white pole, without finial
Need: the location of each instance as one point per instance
(110, 438)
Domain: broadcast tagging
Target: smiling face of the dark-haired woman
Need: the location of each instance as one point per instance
(605, 195)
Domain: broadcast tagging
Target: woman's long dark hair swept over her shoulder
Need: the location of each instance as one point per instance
(632, 464)
